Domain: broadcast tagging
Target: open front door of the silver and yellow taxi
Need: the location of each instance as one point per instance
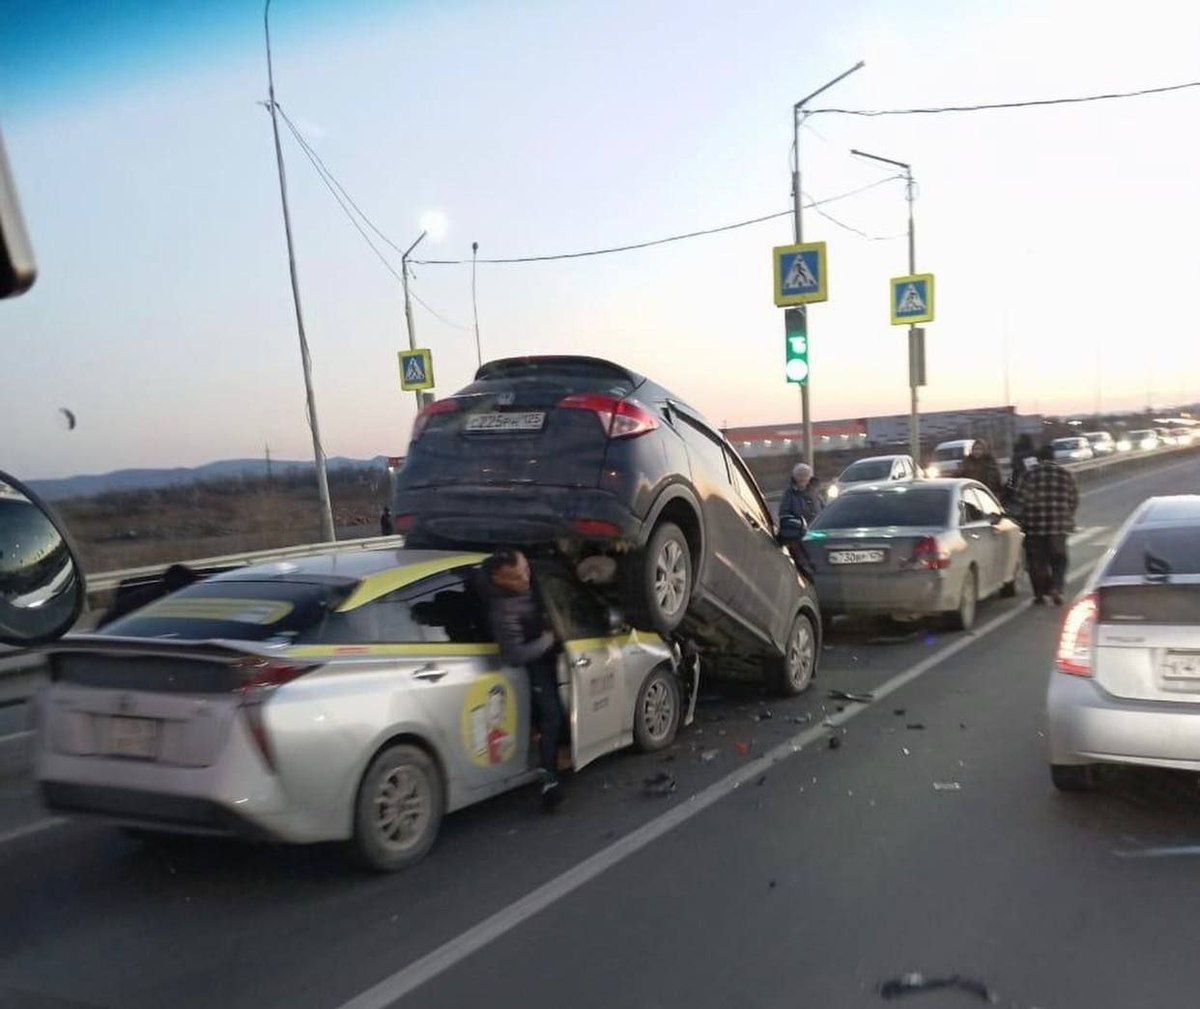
(595, 701)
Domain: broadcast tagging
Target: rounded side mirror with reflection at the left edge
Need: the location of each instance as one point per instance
(43, 588)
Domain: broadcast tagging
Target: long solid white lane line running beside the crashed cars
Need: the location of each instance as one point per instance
(449, 954)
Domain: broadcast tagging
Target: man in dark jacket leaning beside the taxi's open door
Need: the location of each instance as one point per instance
(519, 627)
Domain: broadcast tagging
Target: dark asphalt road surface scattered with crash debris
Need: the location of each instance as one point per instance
(779, 873)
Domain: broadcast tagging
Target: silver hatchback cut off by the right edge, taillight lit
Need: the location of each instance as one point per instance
(1126, 682)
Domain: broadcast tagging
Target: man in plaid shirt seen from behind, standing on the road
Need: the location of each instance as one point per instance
(1049, 500)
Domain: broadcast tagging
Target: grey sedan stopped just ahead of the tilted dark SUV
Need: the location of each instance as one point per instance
(915, 550)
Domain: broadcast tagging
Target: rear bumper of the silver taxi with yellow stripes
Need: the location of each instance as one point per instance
(235, 797)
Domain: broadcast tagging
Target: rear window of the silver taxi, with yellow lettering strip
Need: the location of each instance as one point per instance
(233, 610)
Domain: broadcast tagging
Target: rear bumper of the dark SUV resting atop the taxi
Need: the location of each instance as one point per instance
(483, 514)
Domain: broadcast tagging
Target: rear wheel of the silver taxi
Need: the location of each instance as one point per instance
(399, 809)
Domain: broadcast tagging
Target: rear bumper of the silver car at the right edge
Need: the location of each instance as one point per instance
(1088, 725)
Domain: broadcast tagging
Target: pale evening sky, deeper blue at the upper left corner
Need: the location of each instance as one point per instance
(1061, 238)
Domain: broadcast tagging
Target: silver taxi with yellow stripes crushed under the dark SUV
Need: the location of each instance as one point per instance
(347, 696)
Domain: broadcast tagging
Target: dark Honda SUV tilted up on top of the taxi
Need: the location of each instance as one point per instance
(586, 457)
